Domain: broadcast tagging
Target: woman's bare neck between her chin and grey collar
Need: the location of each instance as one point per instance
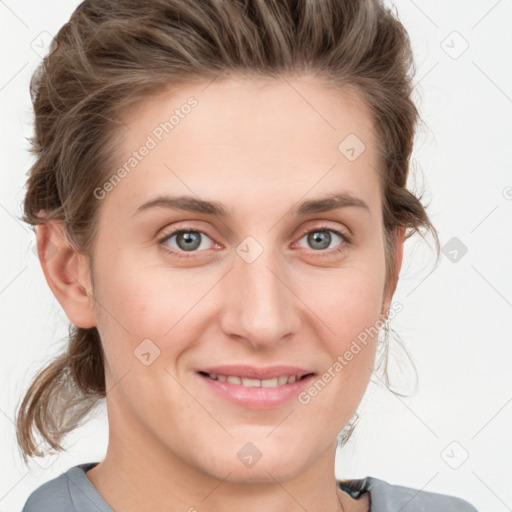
(138, 473)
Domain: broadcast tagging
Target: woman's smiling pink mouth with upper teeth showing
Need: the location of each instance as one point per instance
(256, 388)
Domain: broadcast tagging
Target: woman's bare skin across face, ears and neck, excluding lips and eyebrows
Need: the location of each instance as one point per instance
(259, 148)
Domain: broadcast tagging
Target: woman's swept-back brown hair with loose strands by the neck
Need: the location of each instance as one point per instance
(114, 53)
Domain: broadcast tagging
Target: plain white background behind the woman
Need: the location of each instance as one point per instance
(457, 317)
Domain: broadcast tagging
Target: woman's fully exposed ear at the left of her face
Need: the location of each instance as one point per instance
(66, 272)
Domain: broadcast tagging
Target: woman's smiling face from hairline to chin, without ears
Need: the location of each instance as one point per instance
(279, 284)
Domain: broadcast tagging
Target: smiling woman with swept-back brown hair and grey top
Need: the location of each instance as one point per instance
(221, 207)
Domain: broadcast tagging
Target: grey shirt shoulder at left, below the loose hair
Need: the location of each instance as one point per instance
(71, 491)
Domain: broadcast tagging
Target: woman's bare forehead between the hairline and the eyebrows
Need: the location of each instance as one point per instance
(257, 136)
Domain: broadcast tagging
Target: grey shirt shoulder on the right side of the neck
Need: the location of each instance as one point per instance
(389, 497)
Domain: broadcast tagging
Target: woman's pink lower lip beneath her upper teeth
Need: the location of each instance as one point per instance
(258, 398)
